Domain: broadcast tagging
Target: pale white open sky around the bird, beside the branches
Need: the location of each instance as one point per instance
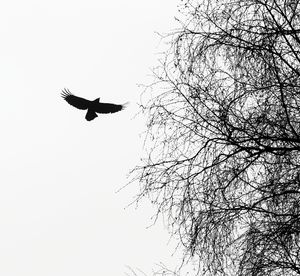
(60, 212)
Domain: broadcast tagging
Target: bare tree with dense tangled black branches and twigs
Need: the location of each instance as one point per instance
(224, 136)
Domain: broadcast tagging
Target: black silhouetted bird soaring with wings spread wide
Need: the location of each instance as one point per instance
(93, 107)
